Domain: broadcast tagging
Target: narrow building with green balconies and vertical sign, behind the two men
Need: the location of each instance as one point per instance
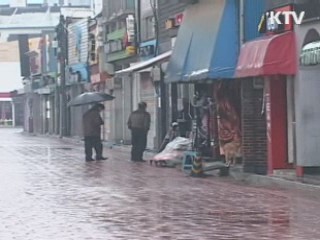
(120, 51)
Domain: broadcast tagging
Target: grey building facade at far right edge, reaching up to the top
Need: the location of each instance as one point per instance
(303, 127)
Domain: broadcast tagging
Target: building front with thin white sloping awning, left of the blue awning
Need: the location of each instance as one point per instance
(147, 73)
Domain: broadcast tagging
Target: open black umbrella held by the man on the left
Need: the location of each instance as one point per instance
(90, 98)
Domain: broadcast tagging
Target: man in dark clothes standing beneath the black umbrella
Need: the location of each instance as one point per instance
(92, 122)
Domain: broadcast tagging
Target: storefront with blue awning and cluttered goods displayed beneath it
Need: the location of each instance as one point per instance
(204, 58)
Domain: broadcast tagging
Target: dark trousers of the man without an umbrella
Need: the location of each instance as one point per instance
(139, 143)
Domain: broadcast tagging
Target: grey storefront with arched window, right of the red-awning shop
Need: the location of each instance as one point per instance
(307, 109)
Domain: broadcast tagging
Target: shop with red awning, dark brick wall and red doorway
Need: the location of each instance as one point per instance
(267, 67)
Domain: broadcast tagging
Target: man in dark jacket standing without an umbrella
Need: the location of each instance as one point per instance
(139, 124)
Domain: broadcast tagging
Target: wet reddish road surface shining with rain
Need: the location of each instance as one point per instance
(48, 192)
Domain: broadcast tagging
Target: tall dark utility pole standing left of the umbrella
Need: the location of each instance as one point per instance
(62, 55)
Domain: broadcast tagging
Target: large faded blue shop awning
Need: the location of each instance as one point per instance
(207, 44)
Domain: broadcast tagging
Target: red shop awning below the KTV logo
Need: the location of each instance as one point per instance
(267, 56)
